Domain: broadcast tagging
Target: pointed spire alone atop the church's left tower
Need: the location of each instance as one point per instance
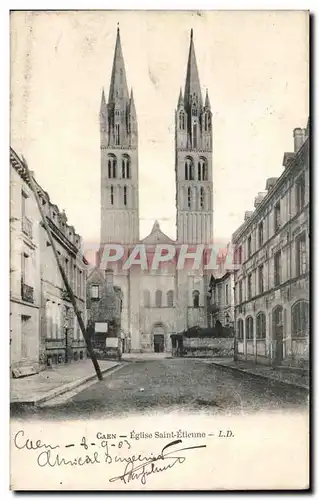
(118, 86)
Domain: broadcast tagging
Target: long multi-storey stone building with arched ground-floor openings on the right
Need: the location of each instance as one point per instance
(272, 253)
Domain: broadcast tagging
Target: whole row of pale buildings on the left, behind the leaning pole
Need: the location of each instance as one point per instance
(44, 328)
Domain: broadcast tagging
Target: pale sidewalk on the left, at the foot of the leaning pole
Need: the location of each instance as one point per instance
(53, 382)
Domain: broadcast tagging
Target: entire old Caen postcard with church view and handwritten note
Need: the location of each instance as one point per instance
(159, 255)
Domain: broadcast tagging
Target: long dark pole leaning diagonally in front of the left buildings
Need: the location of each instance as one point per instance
(64, 277)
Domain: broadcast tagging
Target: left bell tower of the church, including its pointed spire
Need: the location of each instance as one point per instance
(119, 158)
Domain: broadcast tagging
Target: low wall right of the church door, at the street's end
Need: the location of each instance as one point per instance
(208, 347)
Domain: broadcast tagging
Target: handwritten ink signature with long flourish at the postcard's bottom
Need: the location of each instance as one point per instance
(154, 464)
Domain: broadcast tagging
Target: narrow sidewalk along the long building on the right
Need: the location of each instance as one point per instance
(291, 377)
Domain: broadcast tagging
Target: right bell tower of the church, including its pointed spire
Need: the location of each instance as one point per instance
(193, 160)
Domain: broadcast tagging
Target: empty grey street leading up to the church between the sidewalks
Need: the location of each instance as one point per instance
(166, 385)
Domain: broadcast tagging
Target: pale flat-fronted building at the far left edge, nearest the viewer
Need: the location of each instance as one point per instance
(25, 279)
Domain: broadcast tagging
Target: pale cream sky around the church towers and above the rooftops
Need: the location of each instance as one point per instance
(253, 63)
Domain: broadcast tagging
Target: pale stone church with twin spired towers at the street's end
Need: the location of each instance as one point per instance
(168, 300)
